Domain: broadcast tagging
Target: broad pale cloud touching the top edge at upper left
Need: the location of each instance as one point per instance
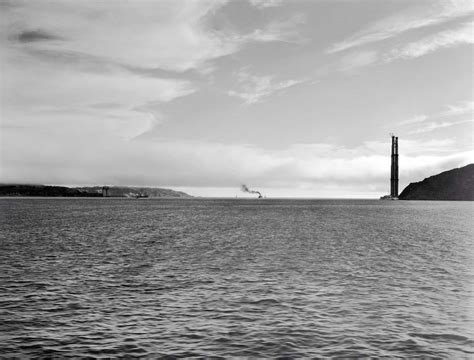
(161, 34)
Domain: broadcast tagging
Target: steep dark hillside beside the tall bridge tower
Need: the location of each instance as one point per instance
(456, 184)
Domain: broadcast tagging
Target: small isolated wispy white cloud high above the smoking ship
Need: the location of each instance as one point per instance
(255, 89)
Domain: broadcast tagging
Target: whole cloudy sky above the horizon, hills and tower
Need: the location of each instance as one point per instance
(293, 98)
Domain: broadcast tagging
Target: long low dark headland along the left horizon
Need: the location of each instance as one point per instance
(94, 191)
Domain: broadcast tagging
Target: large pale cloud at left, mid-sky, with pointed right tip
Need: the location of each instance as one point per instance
(69, 100)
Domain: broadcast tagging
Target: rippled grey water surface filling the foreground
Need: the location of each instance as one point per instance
(224, 278)
